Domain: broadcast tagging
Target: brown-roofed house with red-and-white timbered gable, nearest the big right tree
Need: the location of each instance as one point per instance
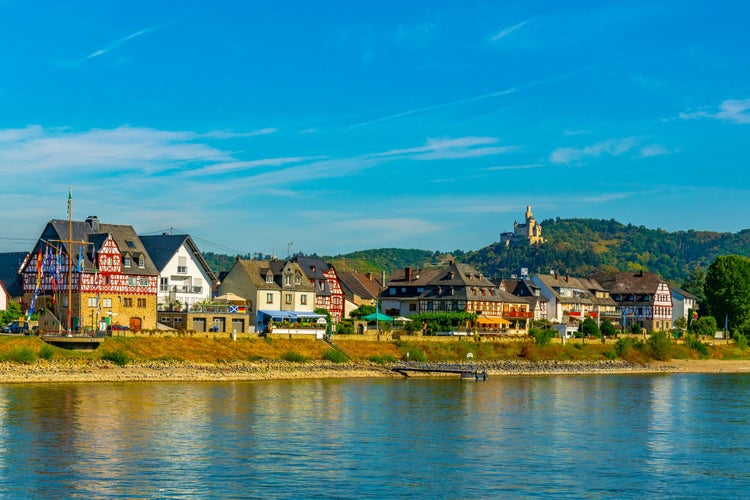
(641, 298)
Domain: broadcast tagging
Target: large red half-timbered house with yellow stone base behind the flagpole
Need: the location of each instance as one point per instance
(89, 276)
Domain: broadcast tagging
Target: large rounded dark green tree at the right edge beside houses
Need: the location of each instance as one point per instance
(728, 289)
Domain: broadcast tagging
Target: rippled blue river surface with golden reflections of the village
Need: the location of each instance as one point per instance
(596, 436)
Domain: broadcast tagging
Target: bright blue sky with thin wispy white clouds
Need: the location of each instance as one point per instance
(327, 127)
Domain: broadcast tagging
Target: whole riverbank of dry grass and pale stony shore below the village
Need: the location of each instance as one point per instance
(29, 359)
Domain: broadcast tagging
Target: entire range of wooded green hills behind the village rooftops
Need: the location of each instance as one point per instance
(575, 246)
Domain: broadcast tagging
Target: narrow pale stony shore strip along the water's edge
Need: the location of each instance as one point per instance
(100, 371)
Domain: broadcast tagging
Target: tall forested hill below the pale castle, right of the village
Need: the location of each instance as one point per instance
(580, 246)
